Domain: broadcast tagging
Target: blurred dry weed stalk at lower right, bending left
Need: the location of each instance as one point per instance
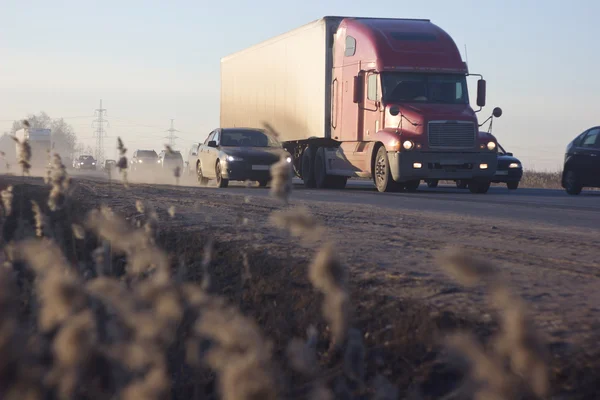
(516, 364)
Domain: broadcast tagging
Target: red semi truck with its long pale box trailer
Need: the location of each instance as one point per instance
(378, 98)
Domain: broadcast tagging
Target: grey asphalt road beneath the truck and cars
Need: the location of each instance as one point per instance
(536, 206)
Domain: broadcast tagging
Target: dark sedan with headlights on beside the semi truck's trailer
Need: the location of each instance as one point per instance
(238, 154)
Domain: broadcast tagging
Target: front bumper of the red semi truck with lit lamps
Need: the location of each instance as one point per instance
(412, 165)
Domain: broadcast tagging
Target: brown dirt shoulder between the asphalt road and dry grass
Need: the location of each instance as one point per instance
(402, 300)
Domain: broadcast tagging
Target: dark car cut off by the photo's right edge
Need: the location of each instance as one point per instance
(582, 162)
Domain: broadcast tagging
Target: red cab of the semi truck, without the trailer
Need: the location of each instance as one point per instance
(400, 107)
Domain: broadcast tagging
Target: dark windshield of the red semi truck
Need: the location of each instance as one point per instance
(424, 88)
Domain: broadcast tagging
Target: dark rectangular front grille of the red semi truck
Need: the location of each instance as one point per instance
(451, 134)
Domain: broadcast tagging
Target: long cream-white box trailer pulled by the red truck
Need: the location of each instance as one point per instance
(282, 83)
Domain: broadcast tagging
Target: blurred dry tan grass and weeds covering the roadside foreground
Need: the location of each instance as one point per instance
(94, 307)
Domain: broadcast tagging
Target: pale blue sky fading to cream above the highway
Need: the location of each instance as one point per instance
(154, 60)
